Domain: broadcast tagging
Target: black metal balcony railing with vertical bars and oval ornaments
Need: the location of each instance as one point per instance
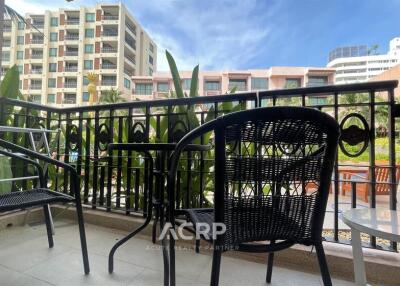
(366, 112)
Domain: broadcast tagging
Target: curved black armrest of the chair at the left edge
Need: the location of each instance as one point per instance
(44, 158)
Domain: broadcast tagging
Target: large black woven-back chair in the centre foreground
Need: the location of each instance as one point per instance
(264, 159)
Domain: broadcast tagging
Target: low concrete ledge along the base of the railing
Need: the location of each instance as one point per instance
(383, 268)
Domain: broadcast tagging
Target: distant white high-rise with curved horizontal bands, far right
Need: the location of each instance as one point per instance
(359, 63)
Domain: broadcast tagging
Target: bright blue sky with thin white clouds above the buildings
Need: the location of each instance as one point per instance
(247, 34)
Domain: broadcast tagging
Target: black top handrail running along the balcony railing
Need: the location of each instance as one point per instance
(320, 90)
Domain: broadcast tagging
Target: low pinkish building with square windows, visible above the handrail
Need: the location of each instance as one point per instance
(219, 82)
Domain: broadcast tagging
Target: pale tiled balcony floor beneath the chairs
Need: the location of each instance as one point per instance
(25, 259)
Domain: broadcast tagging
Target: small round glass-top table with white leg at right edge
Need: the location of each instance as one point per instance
(382, 223)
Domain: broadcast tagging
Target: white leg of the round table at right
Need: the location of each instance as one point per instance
(359, 267)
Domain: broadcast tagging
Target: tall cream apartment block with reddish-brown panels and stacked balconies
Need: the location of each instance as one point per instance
(57, 49)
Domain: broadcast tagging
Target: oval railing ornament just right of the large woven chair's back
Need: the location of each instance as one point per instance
(355, 134)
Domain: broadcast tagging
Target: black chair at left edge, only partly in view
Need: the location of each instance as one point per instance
(41, 195)
